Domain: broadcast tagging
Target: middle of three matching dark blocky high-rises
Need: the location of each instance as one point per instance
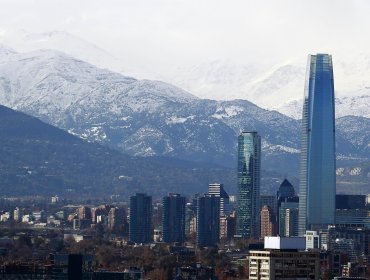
(173, 218)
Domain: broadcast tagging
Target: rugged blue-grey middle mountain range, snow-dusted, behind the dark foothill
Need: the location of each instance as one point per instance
(149, 118)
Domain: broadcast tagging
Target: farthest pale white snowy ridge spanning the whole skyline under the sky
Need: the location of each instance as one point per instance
(275, 87)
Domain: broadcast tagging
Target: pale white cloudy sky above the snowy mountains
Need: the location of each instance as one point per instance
(165, 33)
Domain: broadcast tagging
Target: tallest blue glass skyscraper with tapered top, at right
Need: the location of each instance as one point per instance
(317, 170)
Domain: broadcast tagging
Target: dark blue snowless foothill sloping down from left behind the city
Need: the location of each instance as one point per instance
(39, 159)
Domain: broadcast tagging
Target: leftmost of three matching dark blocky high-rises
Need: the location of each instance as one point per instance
(140, 230)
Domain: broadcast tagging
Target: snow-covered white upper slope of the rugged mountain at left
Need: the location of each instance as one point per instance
(52, 82)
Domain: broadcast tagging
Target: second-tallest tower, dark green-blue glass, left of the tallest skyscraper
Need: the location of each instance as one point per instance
(249, 177)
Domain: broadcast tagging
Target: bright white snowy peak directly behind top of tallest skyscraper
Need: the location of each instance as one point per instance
(278, 87)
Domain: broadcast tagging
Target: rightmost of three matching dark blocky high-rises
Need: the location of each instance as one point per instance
(208, 220)
